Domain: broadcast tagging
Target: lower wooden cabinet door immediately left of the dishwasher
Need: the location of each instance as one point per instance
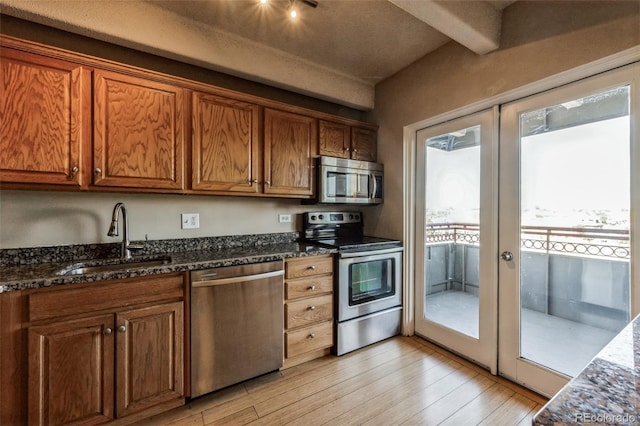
(150, 346)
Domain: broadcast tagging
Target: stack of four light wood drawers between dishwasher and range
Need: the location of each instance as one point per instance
(309, 308)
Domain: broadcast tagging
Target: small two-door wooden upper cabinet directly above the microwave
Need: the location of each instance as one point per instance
(344, 141)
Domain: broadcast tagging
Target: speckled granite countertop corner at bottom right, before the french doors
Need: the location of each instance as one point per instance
(607, 391)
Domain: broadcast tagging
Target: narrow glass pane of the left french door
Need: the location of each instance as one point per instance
(452, 219)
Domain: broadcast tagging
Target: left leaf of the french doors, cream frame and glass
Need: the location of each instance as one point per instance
(456, 272)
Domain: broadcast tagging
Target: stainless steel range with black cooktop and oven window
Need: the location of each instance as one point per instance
(368, 278)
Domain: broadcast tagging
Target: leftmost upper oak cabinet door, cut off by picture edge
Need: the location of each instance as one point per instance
(44, 119)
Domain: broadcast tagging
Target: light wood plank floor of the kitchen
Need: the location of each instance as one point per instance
(404, 380)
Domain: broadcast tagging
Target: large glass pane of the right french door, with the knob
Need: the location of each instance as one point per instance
(574, 228)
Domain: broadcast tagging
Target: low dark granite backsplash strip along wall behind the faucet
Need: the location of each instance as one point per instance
(78, 252)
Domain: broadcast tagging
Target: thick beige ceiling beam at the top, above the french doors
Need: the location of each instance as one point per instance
(473, 24)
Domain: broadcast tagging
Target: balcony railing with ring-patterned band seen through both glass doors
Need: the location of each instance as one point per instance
(597, 242)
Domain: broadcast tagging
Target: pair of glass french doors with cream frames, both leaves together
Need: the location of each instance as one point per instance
(524, 247)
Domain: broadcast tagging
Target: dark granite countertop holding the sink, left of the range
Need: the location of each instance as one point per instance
(15, 277)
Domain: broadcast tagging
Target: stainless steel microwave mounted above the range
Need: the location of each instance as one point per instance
(343, 181)
